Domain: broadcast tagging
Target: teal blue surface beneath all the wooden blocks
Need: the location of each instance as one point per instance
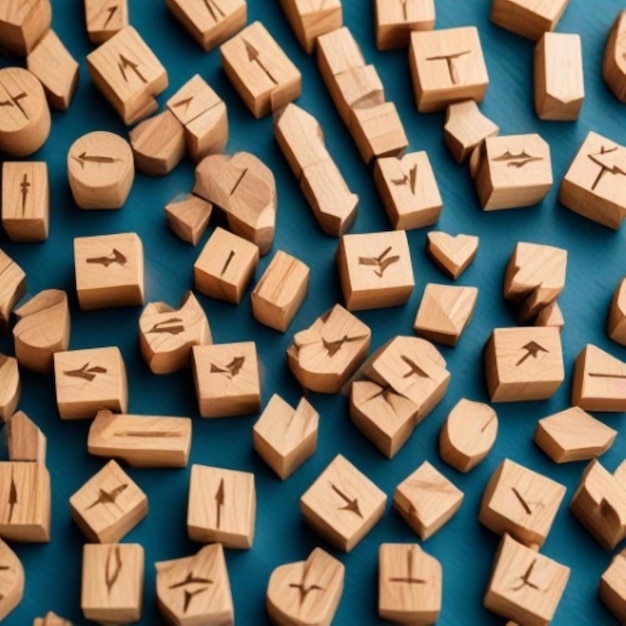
(465, 549)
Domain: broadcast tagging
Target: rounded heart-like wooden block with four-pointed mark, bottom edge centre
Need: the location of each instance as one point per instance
(307, 592)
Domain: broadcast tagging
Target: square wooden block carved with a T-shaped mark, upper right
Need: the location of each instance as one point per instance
(447, 66)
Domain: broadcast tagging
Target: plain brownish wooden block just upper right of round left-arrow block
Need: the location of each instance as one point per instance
(158, 144)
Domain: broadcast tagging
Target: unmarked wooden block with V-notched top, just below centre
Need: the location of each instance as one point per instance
(286, 437)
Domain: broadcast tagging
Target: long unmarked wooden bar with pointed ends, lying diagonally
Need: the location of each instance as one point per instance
(301, 140)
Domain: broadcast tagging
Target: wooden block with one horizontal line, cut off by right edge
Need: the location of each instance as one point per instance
(599, 381)
